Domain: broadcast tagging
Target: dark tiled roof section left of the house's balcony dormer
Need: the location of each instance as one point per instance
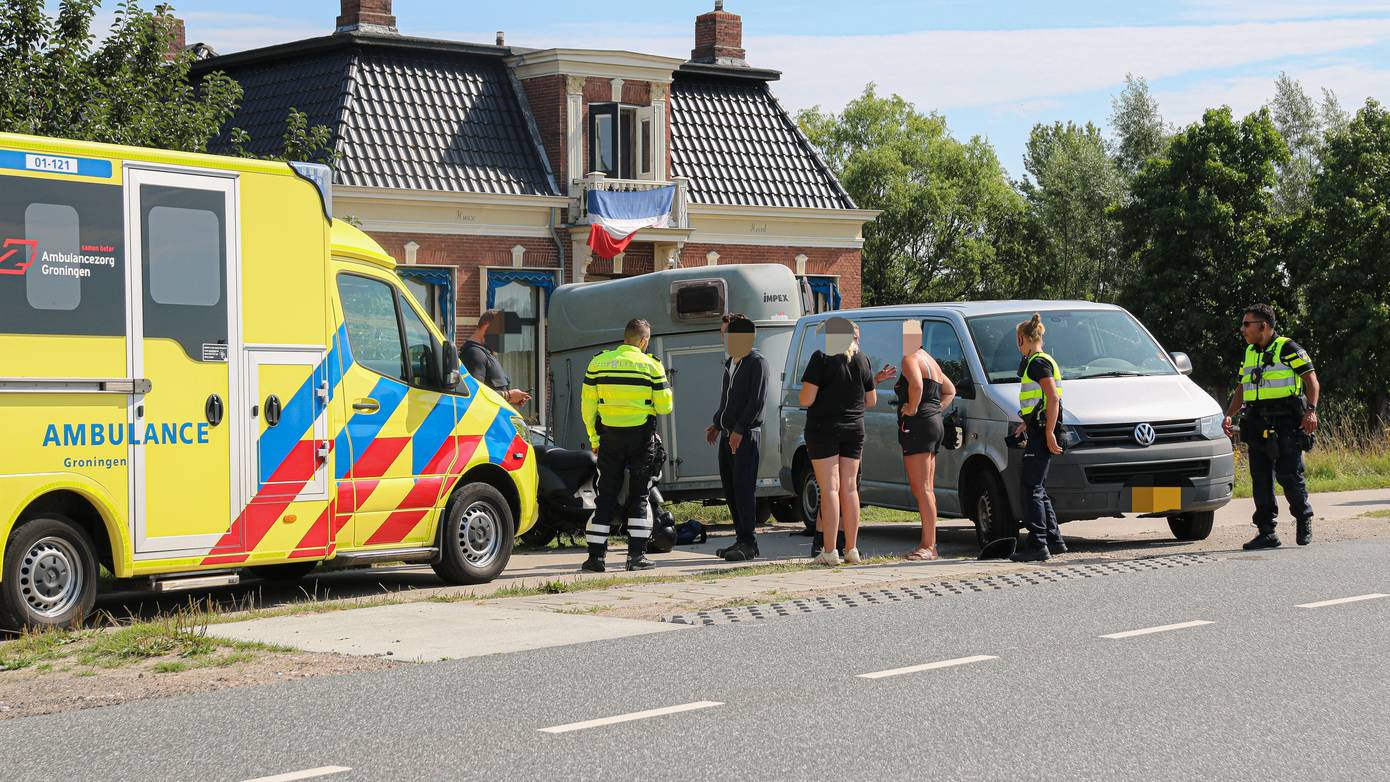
(405, 113)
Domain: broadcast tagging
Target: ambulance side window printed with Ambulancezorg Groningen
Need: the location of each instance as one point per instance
(62, 258)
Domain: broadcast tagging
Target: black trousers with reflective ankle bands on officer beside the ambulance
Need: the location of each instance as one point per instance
(623, 451)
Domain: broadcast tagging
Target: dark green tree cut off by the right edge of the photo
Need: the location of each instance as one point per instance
(1345, 265)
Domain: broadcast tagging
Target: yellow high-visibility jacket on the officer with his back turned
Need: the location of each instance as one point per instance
(623, 388)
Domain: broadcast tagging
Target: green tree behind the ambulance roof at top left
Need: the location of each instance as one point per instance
(58, 81)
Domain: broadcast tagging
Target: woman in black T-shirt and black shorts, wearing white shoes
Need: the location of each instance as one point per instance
(835, 390)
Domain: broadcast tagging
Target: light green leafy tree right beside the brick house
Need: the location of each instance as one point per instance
(946, 205)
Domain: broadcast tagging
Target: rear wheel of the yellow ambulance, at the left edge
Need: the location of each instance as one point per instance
(51, 576)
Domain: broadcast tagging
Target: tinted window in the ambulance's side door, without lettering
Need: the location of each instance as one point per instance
(184, 247)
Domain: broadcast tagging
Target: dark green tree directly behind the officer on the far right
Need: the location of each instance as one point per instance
(1202, 231)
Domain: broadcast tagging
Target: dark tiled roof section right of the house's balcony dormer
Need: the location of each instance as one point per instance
(740, 148)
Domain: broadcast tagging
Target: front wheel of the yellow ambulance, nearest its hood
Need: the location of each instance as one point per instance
(476, 538)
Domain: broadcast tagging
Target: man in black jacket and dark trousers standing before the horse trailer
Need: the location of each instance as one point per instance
(737, 430)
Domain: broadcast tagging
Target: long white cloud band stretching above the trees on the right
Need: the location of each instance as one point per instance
(945, 70)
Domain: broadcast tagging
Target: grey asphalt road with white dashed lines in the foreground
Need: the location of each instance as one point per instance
(1266, 691)
